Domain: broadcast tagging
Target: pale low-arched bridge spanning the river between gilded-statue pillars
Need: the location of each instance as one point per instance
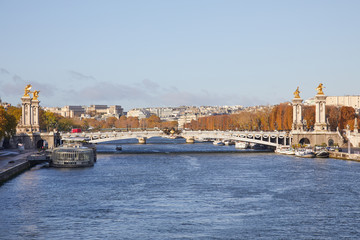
(273, 139)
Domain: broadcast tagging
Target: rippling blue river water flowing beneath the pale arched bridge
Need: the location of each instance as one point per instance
(165, 192)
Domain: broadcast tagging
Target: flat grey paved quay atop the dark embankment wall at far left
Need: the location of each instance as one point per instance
(12, 163)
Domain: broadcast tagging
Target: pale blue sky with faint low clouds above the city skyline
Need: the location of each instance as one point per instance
(146, 53)
